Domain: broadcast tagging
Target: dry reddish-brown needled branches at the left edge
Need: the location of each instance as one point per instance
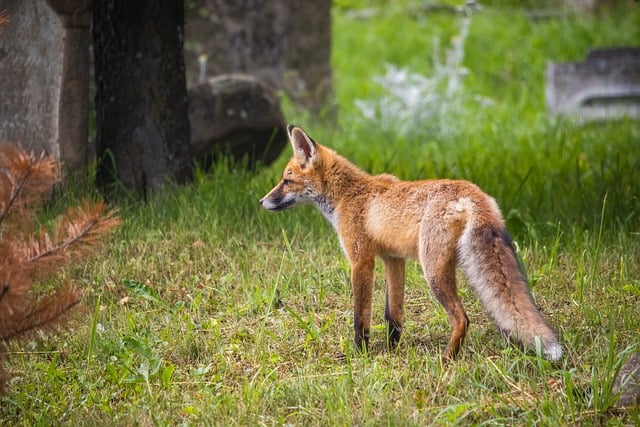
(29, 254)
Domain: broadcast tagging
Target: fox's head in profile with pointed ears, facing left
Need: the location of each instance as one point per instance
(301, 181)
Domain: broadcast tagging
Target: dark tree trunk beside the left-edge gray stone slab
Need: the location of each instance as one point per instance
(142, 137)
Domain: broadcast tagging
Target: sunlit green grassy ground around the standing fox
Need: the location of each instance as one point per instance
(205, 309)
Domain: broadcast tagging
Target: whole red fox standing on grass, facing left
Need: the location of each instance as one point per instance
(441, 223)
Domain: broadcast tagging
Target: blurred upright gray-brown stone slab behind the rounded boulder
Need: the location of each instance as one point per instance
(283, 43)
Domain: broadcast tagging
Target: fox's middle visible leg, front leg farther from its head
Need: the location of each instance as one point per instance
(393, 313)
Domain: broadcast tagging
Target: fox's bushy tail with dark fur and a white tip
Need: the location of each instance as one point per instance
(490, 262)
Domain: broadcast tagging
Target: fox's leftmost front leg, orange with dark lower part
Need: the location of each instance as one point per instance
(362, 284)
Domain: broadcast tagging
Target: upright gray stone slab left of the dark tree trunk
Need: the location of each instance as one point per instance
(44, 60)
